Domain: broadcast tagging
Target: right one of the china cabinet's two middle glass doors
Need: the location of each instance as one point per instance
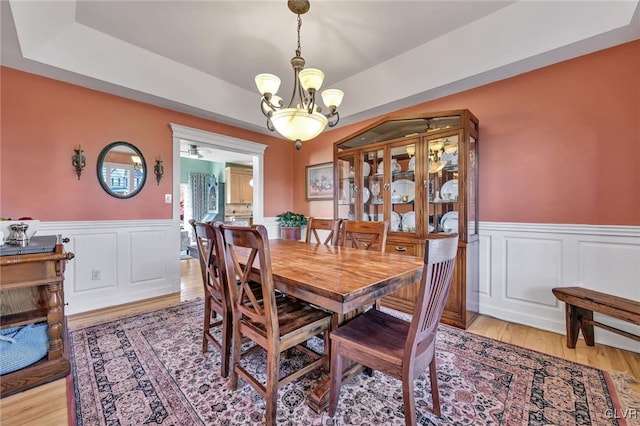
(403, 191)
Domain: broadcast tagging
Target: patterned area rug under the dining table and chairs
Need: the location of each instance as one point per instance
(149, 369)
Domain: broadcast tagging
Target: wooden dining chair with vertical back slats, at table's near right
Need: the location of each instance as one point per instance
(396, 347)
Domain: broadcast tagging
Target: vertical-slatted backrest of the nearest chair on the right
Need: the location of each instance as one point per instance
(437, 275)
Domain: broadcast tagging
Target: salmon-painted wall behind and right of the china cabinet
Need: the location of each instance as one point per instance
(557, 145)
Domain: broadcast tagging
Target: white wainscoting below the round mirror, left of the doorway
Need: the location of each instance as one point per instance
(117, 262)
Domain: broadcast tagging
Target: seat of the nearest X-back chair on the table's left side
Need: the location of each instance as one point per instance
(293, 316)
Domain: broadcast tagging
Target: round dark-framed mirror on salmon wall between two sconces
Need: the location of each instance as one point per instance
(122, 170)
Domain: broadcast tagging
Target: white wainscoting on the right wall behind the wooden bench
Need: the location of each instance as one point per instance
(520, 263)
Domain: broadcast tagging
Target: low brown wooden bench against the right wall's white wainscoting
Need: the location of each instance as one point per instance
(582, 302)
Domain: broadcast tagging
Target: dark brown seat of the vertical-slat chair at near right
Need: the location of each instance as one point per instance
(378, 333)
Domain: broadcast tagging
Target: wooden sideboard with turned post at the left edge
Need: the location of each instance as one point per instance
(32, 293)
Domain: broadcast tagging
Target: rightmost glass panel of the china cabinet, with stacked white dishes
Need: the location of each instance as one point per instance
(443, 183)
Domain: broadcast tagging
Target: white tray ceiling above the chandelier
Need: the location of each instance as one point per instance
(201, 57)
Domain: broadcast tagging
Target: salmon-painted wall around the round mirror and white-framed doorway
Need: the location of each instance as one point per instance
(44, 119)
